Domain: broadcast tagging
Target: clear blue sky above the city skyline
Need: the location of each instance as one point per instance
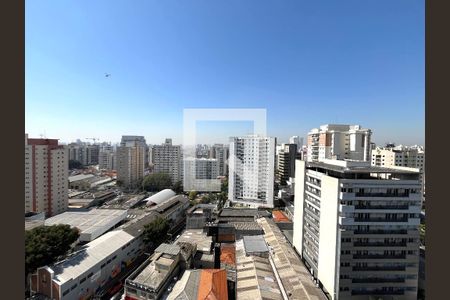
(307, 62)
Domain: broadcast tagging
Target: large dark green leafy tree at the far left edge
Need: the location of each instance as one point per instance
(44, 244)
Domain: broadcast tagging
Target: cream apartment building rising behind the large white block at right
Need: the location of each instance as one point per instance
(333, 141)
